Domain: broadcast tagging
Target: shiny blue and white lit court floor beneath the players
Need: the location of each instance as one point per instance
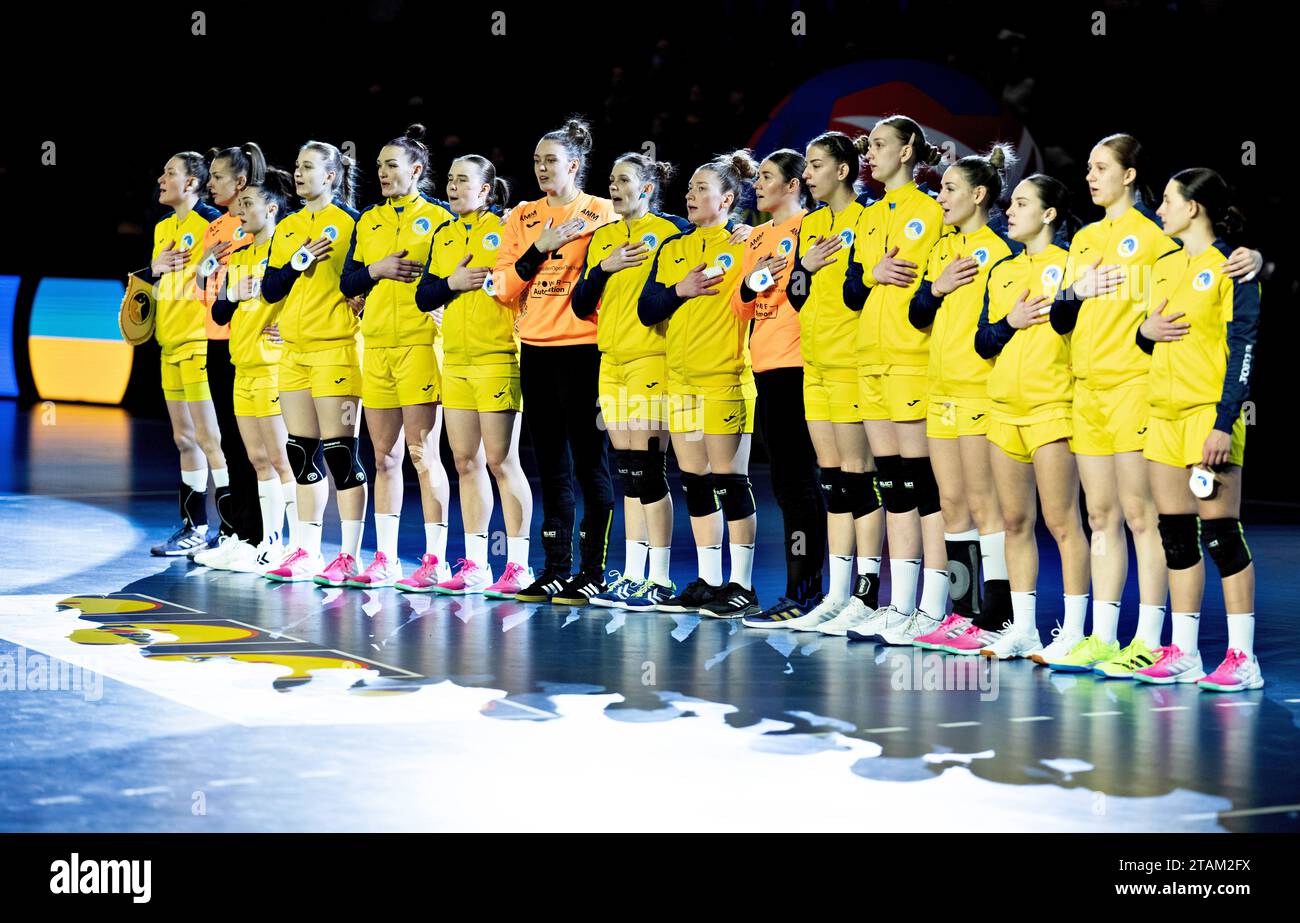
(148, 695)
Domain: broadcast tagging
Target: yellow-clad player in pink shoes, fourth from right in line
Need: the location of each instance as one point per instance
(948, 305)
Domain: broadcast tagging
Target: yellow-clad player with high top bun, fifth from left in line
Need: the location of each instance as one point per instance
(401, 382)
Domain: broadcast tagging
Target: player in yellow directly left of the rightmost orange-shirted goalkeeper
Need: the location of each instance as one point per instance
(691, 287)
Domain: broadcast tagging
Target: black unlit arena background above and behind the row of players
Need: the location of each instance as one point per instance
(122, 90)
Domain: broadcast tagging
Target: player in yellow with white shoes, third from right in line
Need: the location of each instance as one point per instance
(1030, 392)
